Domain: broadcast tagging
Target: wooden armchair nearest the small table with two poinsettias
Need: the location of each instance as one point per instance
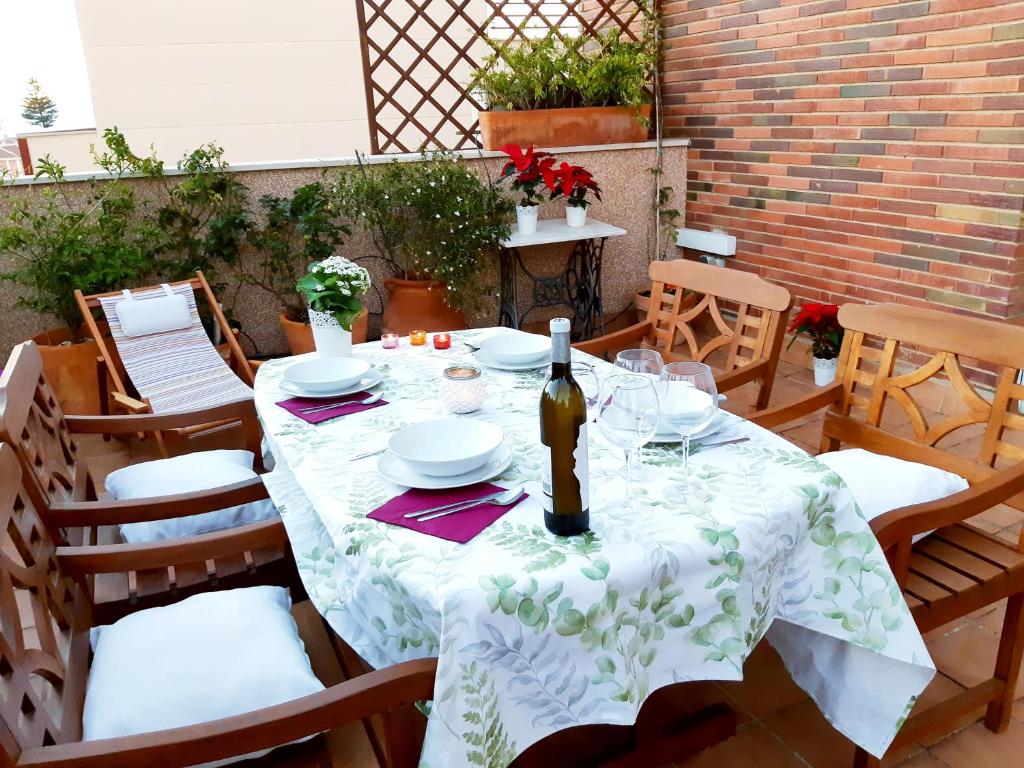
(688, 300)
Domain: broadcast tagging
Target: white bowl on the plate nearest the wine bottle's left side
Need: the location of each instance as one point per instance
(444, 448)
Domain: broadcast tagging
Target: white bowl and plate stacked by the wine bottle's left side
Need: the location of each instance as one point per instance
(445, 454)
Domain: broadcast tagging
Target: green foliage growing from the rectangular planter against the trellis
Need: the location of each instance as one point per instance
(557, 72)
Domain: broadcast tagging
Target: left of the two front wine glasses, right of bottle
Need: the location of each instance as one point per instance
(628, 416)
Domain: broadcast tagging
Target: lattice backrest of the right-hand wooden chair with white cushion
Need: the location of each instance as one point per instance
(879, 393)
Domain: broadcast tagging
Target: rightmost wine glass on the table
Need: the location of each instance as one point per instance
(690, 404)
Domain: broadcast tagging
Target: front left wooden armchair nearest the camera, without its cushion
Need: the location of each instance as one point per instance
(47, 612)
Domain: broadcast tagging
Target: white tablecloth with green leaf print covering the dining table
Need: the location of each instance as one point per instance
(536, 633)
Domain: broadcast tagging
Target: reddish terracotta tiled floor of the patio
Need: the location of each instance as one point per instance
(780, 727)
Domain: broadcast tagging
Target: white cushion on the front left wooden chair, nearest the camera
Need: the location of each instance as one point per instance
(210, 657)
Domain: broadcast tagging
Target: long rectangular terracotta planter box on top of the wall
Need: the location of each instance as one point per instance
(572, 127)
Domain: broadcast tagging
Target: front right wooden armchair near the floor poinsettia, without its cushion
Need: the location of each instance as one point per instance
(960, 569)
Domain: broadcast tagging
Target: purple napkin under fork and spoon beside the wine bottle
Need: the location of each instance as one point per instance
(460, 527)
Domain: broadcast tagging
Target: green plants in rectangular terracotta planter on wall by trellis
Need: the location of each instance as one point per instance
(557, 92)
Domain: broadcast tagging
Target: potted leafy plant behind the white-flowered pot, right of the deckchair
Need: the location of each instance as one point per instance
(295, 232)
